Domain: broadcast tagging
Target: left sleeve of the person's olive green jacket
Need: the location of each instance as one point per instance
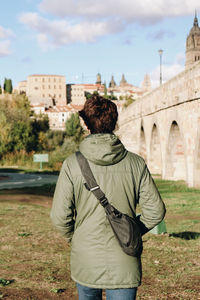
(62, 212)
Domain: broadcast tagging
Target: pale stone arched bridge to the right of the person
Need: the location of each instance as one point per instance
(164, 127)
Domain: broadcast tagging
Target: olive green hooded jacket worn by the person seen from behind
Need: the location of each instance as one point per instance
(96, 257)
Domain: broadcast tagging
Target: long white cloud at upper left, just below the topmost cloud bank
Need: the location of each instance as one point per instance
(61, 32)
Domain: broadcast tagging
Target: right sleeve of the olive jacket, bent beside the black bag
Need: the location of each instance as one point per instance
(152, 207)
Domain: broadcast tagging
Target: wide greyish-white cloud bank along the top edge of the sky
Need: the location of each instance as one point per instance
(144, 12)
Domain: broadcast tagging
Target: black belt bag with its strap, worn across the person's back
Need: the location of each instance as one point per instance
(125, 228)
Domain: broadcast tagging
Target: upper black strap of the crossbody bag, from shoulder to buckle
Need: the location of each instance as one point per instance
(91, 183)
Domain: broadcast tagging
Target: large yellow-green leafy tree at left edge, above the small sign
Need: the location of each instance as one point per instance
(25, 131)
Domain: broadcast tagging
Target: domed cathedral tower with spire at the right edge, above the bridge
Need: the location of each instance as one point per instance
(193, 44)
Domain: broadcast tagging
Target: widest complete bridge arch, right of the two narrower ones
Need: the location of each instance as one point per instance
(175, 154)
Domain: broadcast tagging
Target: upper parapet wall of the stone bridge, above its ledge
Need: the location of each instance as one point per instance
(183, 87)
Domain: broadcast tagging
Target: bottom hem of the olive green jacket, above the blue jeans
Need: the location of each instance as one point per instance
(108, 286)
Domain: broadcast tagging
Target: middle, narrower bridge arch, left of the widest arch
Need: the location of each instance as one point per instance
(155, 158)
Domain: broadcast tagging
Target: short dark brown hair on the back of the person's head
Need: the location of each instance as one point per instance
(99, 114)
